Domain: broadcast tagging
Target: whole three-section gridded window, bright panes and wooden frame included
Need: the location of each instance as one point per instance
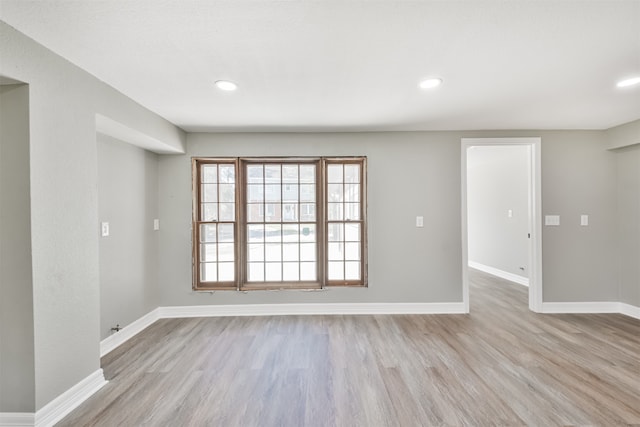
(277, 223)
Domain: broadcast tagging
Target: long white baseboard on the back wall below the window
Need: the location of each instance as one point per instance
(310, 309)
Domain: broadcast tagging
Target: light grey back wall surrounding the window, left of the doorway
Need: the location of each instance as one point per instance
(409, 174)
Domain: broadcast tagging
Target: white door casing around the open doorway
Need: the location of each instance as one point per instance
(535, 214)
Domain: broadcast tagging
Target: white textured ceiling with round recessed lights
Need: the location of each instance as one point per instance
(340, 65)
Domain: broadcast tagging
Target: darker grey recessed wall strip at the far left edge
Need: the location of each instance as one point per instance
(17, 383)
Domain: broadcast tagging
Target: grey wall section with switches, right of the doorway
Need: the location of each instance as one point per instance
(579, 177)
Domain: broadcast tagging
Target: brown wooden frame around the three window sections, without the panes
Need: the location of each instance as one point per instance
(241, 224)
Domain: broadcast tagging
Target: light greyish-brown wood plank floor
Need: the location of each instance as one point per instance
(499, 365)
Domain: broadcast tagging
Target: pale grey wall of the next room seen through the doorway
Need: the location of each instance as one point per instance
(498, 183)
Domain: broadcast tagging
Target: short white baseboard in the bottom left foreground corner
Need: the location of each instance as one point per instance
(59, 407)
